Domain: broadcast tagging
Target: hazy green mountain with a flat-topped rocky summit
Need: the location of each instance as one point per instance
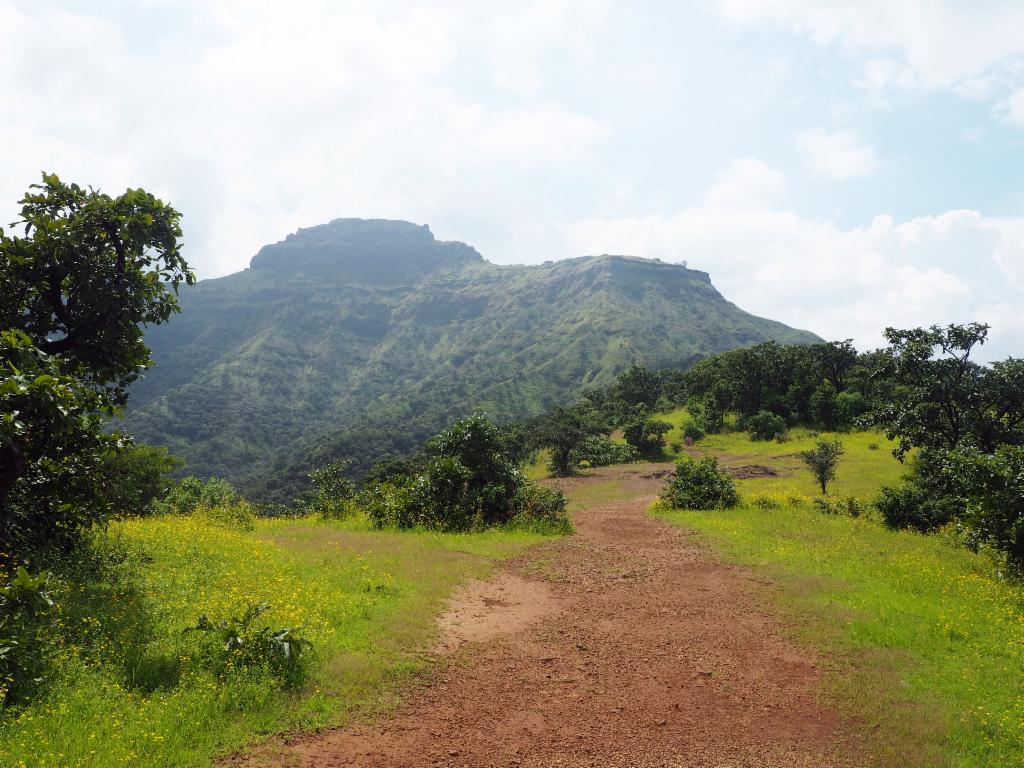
(361, 338)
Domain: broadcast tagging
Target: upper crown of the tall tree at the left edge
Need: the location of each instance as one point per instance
(90, 272)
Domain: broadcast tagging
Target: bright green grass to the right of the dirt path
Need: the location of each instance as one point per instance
(927, 641)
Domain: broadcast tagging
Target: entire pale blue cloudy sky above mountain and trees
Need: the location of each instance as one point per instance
(841, 167)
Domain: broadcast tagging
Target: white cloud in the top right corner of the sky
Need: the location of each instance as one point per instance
(954, 45)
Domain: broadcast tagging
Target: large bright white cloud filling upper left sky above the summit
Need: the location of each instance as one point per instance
(257, 118)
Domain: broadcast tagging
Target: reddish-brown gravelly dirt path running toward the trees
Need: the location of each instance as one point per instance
(628, 645)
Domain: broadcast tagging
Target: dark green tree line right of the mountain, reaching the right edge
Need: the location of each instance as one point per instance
(959, 425)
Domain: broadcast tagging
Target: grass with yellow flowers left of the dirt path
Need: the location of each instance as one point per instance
(129, 690)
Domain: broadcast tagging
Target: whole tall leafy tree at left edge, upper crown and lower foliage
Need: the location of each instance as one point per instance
(76, 289)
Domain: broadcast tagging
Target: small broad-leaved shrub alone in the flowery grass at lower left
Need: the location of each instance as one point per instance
(237, 645)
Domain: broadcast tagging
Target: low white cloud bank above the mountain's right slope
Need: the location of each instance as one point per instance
(841, 283)
